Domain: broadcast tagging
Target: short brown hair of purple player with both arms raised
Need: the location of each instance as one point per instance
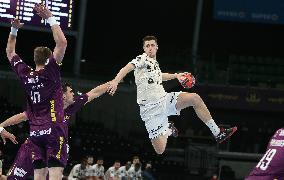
(41, 54)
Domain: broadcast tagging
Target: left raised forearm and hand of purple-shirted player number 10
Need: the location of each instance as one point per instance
(11, 44)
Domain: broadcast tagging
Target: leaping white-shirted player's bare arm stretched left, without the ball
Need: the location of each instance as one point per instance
(120, 75)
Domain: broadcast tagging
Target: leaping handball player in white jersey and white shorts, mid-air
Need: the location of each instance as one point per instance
(156, 104)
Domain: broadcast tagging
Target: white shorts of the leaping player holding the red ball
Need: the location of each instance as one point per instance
(155, 115)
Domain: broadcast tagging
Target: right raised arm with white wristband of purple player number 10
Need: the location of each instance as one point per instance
(58, 35)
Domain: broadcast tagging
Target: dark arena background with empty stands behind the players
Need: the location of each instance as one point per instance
(238, 63)
